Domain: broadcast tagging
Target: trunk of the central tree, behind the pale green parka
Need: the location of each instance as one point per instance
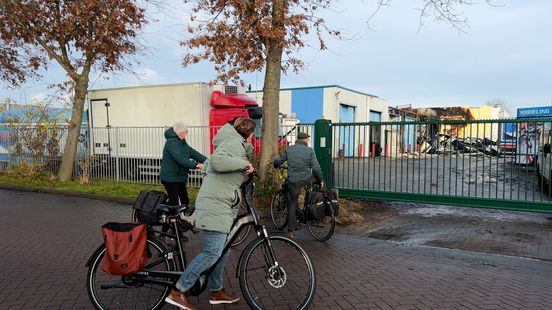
(271, 96)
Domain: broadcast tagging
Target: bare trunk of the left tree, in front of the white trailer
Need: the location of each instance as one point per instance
(70, 149)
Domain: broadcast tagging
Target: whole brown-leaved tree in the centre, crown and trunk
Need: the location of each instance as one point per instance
(247, 36)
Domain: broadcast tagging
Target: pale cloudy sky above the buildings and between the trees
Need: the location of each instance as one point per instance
(504, 54)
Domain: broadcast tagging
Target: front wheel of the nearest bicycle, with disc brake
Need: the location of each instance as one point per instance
(276, 273)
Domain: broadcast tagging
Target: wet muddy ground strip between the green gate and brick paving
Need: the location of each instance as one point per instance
(493, 231)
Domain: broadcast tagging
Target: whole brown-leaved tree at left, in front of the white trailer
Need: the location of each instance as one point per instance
(78, 35)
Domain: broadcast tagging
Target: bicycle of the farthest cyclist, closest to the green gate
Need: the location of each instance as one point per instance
(321, 229)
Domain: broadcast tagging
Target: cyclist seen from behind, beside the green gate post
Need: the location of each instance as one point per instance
(303, 169)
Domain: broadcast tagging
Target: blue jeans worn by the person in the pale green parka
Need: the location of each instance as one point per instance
(213, 243)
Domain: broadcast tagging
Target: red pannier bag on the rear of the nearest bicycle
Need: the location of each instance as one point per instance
(125, 245)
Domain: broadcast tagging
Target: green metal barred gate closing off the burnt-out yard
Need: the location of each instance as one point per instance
(485, 163)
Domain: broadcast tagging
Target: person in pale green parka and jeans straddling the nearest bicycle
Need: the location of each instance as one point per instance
(217, 206)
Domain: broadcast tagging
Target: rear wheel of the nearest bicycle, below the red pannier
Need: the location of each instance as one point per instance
(136, 294)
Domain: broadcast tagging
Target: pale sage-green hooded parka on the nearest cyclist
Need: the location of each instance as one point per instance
(219, 196)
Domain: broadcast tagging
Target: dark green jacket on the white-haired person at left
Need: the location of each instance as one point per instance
(176, 158)
